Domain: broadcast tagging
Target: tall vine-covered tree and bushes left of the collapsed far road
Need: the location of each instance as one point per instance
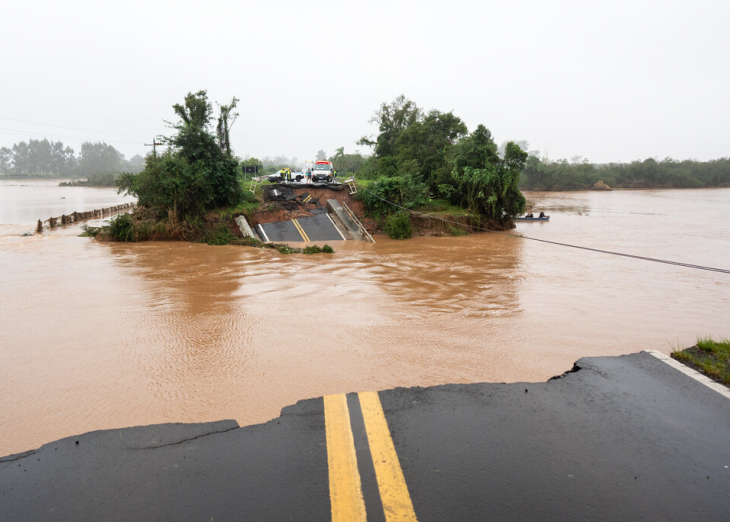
(194, 190)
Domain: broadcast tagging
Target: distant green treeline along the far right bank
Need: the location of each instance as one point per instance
(579, 174)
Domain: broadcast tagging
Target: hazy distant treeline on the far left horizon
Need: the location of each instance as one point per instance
(54, 160)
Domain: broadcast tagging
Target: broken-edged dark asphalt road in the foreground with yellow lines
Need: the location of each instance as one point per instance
(622, 438)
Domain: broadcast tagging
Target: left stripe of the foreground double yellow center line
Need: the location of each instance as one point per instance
(346, 497)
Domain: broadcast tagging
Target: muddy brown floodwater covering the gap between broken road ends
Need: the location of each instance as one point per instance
(98, 336)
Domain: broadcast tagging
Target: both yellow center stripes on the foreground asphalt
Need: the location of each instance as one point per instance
(345, 488)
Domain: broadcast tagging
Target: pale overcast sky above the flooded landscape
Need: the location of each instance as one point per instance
(611, 81)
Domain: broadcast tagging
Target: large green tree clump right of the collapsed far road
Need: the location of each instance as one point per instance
(420, 156)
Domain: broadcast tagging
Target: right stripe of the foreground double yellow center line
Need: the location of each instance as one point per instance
(391, 483)
